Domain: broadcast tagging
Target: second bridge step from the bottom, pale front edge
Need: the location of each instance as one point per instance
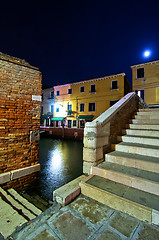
(140, 179)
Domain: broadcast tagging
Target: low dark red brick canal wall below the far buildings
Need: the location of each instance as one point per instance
(68, 133)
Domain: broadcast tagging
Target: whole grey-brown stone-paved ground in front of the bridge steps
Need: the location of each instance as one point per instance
(83, 219)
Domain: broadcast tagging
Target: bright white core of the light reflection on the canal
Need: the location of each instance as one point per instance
(55, 160)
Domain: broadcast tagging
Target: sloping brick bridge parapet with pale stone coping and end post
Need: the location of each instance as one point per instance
(103, 131)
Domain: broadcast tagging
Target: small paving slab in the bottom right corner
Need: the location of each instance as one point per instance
(149, 233)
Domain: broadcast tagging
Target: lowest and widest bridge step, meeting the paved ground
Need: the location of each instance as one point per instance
(134, 202)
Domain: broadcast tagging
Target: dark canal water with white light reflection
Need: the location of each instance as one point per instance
(61, 161)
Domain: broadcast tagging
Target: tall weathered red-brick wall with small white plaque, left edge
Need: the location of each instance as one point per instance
(20, 105)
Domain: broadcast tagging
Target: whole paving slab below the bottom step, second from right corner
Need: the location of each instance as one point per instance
(124, 224)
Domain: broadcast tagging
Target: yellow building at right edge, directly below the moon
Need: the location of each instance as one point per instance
(145, 81)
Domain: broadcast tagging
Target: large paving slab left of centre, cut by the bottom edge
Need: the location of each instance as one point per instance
(71, 227)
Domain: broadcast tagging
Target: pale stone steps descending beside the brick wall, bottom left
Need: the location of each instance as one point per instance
(15, 210)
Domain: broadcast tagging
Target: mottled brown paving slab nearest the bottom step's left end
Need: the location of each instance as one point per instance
(92, 210)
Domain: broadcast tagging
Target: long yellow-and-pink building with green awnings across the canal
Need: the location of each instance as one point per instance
(84, 101)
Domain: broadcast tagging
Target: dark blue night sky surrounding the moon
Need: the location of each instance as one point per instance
(77, 40)
